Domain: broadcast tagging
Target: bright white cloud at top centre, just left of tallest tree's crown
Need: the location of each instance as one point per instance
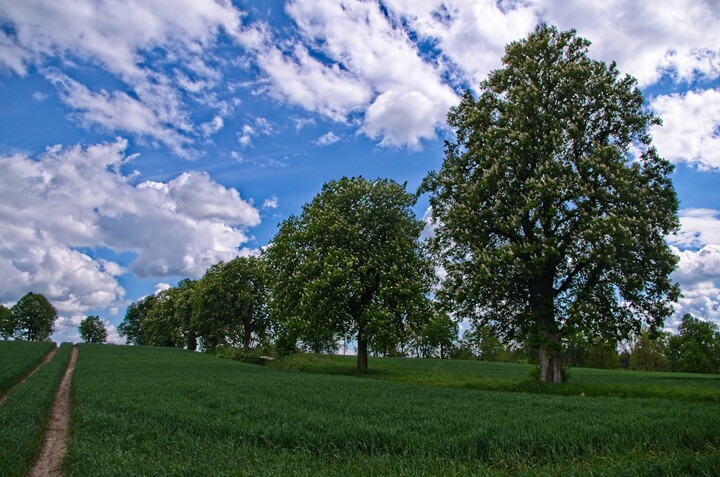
(351, 56)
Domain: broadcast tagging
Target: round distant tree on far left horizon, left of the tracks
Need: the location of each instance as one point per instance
(34, 317)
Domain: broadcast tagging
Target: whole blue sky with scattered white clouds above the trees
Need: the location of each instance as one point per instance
(142, 141)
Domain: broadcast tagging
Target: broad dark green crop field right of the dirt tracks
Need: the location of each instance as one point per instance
(153, 411)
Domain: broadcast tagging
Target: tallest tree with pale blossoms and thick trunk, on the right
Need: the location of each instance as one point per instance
(546, 222)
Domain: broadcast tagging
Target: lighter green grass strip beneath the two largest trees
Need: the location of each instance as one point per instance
(495, 376)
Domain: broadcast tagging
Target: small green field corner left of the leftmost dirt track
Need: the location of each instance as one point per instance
(17, 358)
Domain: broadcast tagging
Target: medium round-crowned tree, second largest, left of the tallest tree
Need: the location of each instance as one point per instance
(351, 265)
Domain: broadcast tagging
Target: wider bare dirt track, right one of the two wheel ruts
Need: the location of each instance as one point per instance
(50, 460)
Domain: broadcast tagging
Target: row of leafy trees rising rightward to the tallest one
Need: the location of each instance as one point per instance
(550, 213)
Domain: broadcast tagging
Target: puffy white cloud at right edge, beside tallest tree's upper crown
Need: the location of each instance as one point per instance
(691, 127)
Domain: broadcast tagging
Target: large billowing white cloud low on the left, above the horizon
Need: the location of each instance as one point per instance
(75, 198)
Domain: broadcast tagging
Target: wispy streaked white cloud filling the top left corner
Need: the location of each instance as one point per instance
(136, 50)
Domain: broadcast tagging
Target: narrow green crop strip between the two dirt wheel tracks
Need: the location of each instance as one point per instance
(24, 415)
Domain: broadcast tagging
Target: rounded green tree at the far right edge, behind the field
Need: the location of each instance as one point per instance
(696, 347)
